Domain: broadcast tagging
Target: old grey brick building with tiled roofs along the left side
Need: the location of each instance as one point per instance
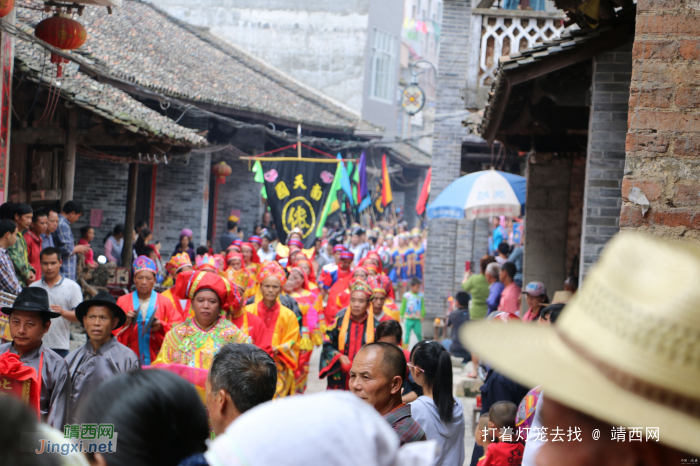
(194, 86)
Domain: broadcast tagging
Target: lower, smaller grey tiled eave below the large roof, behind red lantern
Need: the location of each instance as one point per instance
(102, 99)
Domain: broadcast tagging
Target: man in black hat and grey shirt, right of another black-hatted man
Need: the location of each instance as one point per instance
(102, 356)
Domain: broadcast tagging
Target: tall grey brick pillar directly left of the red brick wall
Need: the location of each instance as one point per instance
(606, 152)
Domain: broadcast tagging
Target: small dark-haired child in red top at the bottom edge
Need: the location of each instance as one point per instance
(506, 450)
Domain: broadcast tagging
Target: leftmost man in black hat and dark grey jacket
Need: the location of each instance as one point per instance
(30, 319)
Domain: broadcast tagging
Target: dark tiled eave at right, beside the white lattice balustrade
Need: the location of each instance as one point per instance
(530, 58)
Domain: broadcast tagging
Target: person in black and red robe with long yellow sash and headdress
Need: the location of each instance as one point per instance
(351, 331)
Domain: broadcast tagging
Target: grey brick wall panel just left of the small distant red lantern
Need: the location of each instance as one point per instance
(182, 201)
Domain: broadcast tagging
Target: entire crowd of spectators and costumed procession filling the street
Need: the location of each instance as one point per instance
(209, 371)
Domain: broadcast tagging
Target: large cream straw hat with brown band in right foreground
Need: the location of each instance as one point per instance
(625, 350)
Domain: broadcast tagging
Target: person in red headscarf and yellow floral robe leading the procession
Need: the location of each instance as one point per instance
(189, 347)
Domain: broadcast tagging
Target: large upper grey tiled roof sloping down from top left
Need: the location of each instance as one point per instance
(142, 44)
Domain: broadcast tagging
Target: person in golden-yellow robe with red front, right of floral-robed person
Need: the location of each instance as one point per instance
(282, 333)
